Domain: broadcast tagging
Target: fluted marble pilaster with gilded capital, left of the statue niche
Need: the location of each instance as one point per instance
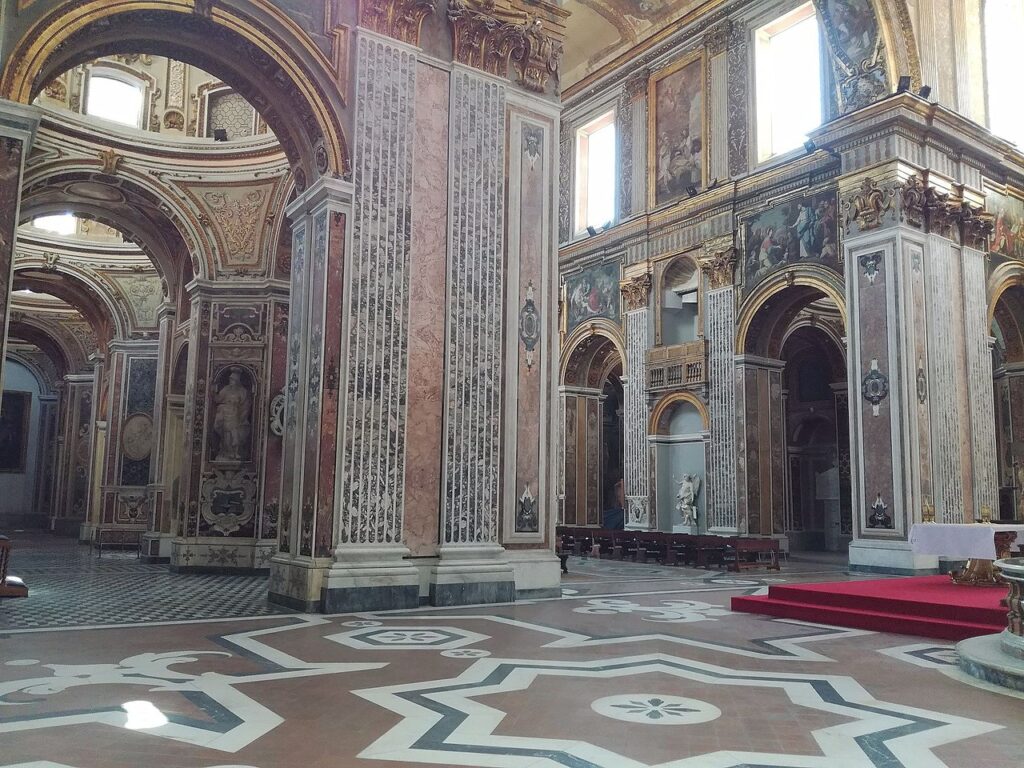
(636, 457)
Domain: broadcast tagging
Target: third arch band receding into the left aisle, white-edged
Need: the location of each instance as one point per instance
(92, 300)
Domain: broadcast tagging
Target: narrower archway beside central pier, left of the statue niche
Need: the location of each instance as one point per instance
(592, 407)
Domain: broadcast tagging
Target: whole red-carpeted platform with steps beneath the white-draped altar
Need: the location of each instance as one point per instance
(930, 607)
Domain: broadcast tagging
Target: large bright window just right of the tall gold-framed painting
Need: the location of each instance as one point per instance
(788, 66)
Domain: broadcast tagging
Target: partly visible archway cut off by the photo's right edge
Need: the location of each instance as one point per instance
(1007, 327)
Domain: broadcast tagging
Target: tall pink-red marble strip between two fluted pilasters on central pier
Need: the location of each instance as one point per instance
(426, 322)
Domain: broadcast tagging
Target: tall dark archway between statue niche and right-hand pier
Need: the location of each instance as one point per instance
(794, 414)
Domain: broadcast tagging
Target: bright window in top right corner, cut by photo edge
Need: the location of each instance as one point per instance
(1004, 29)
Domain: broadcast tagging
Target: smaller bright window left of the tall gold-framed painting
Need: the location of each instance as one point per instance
(595, 188)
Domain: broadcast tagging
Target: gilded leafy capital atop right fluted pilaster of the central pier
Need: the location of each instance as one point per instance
(491, 36)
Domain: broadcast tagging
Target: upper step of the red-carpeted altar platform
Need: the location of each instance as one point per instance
(925, 598)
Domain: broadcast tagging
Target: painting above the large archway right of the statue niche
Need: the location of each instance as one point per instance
(801, 231)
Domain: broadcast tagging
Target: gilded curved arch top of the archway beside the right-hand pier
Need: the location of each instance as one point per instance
(804, 283)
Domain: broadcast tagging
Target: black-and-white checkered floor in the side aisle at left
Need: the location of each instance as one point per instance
(69, 586)
